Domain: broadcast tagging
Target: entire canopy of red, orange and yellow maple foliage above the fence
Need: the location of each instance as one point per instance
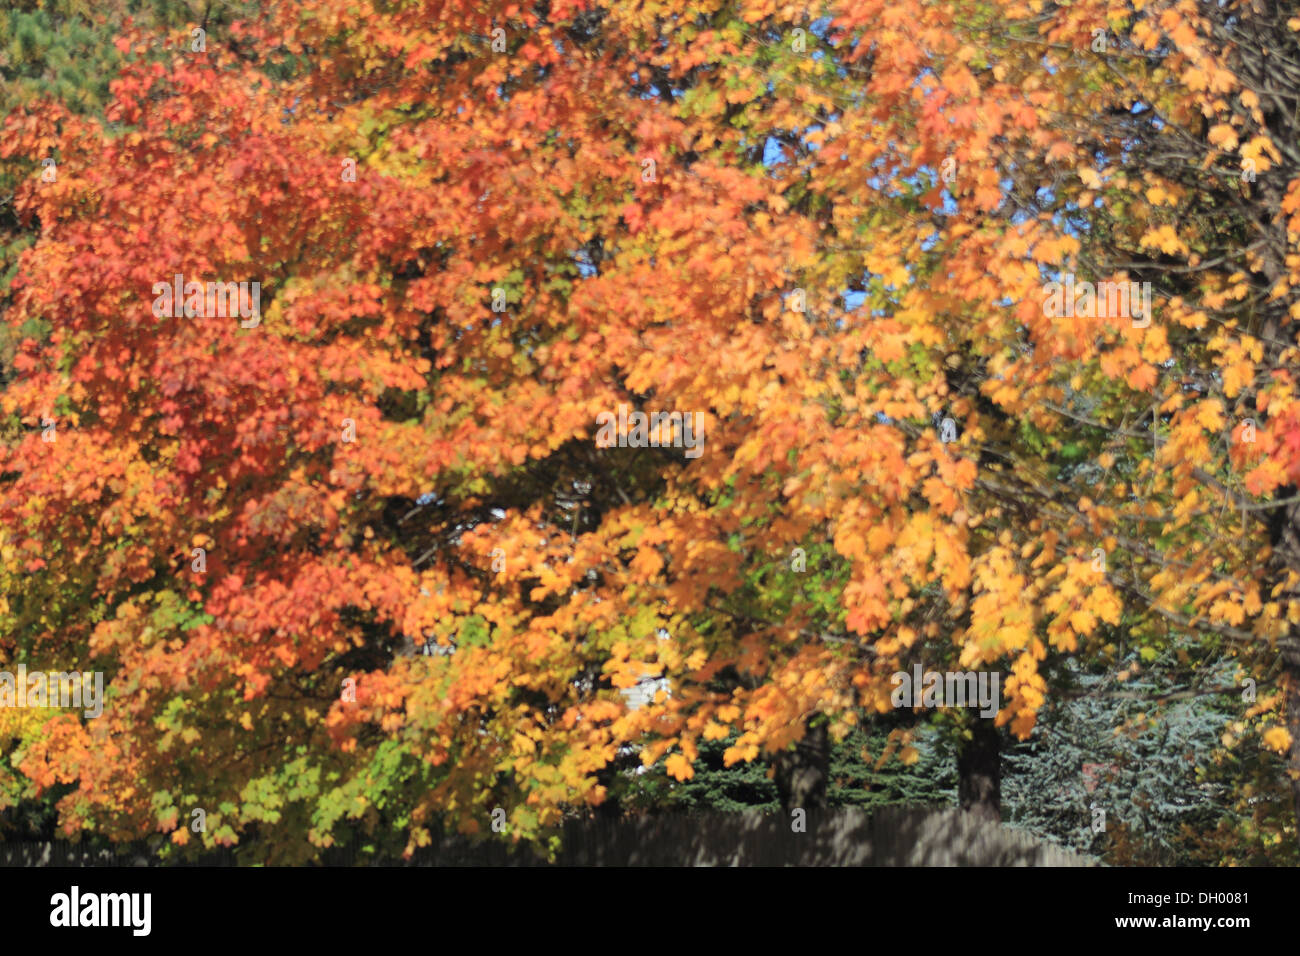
(353, 555)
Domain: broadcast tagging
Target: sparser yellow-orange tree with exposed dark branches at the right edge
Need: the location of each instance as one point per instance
(1177, 180)
